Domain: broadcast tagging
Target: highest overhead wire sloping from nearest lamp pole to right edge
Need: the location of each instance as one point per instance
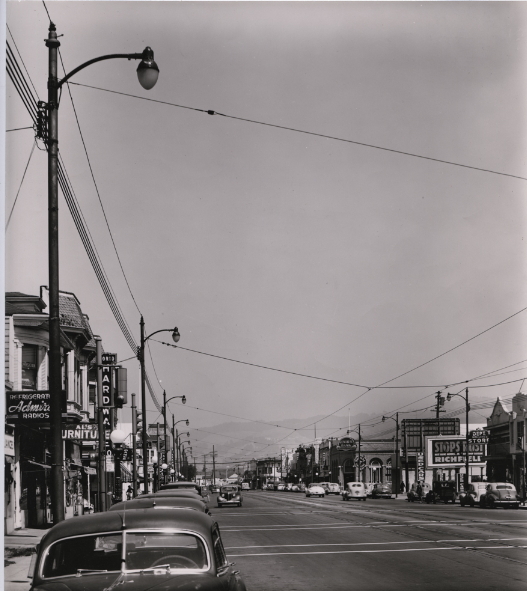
(303, 131)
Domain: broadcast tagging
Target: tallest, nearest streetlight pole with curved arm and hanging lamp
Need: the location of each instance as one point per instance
(147, 72)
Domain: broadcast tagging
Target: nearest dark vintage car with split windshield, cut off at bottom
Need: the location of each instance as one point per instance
(142, 548)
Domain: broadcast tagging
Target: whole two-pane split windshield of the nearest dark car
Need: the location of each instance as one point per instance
(144, 550)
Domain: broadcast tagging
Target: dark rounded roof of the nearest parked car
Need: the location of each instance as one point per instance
(111, 521)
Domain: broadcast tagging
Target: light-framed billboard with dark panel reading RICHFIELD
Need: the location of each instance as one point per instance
(452, 451)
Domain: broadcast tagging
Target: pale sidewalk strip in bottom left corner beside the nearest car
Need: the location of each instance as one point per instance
(17, 544)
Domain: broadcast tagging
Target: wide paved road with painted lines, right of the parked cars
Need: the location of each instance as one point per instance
(286, 541)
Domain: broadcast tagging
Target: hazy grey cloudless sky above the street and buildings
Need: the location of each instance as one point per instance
(312, 253)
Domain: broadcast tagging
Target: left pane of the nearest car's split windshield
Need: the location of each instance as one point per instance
(96, 552)
